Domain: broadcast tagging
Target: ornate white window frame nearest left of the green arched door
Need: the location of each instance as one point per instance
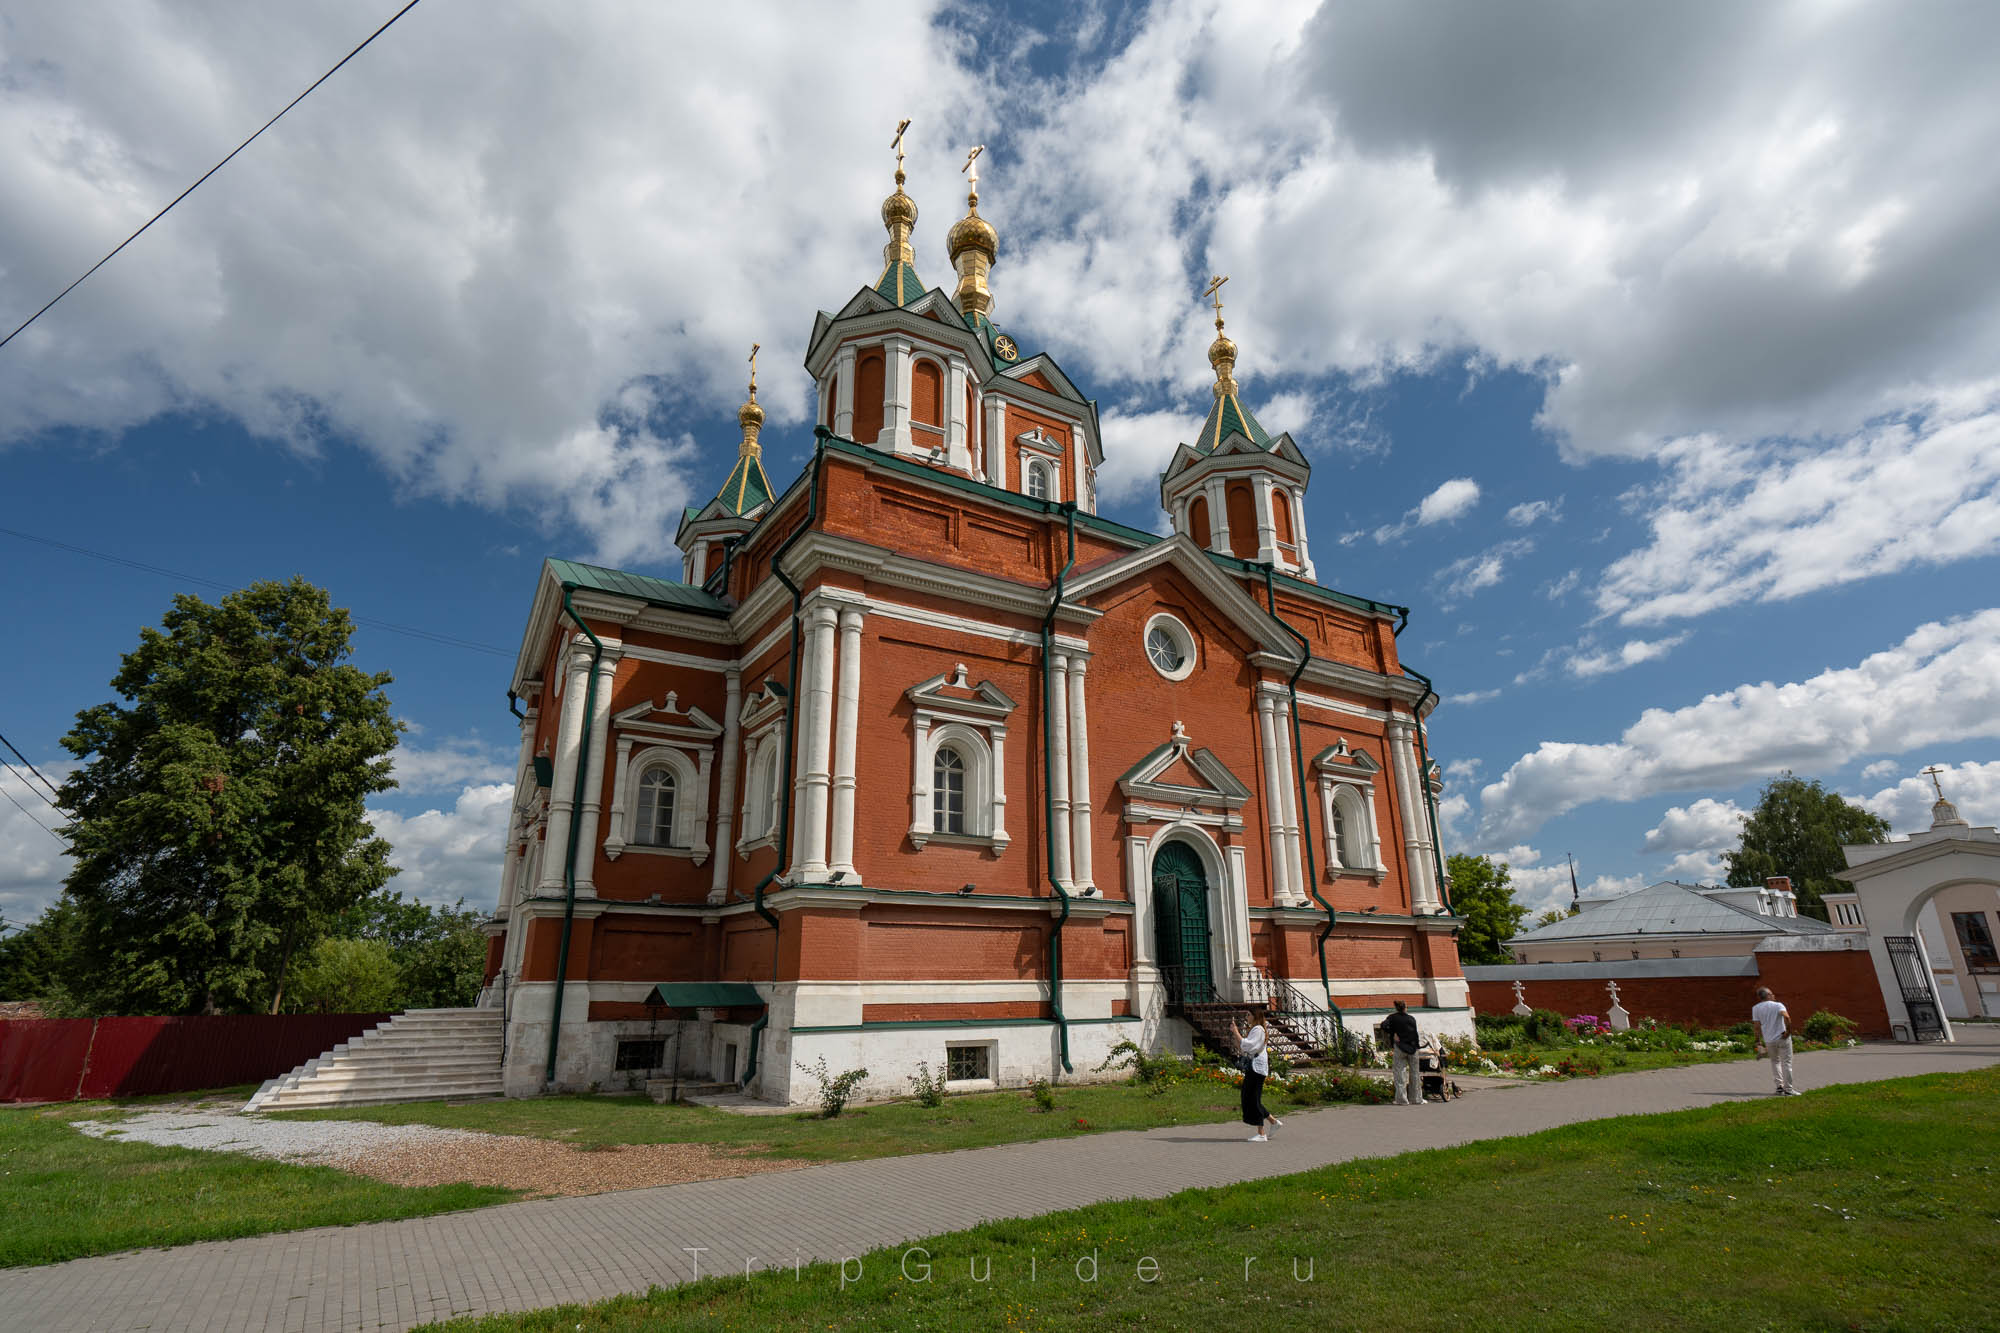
(977, 730)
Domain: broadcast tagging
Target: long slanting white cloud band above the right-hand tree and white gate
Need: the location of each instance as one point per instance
(1939, 686)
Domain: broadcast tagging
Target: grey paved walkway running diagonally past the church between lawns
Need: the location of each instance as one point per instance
(523, 1256)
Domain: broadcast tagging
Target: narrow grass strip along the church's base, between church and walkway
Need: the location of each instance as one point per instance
(861, 1132)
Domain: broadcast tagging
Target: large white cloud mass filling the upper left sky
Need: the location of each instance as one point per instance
(477, 249)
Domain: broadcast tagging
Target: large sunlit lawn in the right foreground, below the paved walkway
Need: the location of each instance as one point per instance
(1853, 1208)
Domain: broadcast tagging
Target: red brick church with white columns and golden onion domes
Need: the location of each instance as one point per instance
(927, 762)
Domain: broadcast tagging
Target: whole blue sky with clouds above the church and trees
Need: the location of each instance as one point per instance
(1651, 355)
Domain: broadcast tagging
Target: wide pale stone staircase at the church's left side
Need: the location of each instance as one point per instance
(419, 1056)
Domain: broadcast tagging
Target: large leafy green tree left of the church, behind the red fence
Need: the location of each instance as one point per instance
(219, 816)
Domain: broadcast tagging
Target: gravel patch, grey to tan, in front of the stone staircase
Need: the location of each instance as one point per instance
(433, 1156)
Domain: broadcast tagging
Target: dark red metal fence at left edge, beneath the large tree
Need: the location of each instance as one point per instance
(69, 1060)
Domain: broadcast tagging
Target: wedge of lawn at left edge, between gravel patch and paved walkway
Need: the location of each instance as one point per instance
(65, 1194)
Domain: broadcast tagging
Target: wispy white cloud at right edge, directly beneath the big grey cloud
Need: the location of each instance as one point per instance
(1733, 523)
